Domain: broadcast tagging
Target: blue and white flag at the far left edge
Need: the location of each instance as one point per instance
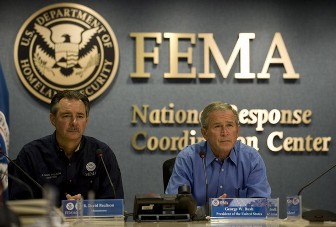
(4, 136)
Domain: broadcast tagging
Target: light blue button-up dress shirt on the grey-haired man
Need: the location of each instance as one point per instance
(241, 175)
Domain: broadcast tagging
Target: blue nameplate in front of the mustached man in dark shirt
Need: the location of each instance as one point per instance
(93, 208)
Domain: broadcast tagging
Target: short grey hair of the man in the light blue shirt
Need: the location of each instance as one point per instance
(214, 106)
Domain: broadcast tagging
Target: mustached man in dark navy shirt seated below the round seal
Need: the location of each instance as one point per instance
(67, 160)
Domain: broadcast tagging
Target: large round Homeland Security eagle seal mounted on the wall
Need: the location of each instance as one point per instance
(66, 46)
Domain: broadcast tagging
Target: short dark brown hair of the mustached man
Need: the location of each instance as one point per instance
(69, 94)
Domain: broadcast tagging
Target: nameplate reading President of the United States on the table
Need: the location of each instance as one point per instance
(238, 208)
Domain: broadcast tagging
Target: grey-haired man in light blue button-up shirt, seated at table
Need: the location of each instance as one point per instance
(232, 169)
